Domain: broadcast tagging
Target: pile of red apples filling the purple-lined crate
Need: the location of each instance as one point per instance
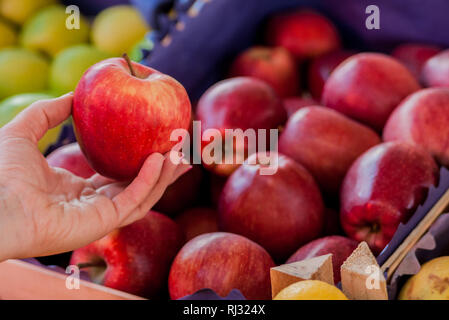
(362, 136)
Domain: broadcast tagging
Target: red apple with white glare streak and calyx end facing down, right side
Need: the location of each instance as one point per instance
(382, 189)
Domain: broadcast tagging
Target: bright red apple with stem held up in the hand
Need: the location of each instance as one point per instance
(122, 115)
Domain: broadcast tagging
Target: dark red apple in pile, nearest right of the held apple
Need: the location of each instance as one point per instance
(238, 103)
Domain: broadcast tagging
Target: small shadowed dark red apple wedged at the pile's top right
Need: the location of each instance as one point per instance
(414, 56)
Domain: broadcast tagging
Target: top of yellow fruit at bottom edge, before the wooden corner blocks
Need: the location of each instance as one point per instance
(310, 290)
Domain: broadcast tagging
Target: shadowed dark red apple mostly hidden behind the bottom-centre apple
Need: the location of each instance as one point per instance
(197, 221)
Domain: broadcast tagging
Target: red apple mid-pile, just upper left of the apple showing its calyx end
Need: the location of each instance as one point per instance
(326, 143)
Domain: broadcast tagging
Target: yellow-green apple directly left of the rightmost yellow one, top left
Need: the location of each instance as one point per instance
(47, 31)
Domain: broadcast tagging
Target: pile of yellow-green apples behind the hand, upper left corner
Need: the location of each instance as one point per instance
(45, 49)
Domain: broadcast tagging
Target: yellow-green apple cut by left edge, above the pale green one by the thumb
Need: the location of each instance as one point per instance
(22, 70)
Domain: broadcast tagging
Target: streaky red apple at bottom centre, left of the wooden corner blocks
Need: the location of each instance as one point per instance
(221, 262)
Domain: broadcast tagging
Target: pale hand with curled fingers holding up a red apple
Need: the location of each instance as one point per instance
(46, 210)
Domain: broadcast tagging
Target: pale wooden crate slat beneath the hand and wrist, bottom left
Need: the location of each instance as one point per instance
(20, 280)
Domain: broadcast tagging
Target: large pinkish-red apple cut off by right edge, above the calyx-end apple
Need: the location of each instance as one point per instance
(423, 120)
